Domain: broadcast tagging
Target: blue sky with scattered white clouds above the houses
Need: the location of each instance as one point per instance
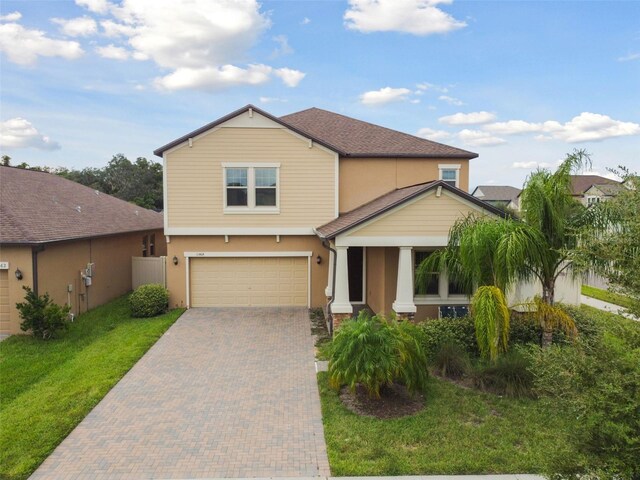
(520, 83)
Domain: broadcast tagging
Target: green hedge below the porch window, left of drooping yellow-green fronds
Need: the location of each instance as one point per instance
(457, 331)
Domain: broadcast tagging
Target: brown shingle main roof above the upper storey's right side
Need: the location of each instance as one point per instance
(356, 138)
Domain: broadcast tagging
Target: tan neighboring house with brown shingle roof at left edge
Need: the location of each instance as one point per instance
(68, 240)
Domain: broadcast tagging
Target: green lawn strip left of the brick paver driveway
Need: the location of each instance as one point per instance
(47, 388)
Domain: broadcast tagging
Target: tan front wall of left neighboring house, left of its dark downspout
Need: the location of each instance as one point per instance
(18, 258)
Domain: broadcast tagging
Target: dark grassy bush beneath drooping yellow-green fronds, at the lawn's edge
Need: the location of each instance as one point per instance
(508, 375)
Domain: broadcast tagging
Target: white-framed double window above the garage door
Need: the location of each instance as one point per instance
(251, 188)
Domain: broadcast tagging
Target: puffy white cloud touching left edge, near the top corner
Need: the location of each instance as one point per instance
(23, 46)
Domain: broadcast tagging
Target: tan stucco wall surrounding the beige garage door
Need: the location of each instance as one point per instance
(176, 274)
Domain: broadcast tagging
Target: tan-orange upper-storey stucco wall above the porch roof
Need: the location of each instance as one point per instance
(363, 179)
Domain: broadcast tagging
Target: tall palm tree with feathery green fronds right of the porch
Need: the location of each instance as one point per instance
(485, 251)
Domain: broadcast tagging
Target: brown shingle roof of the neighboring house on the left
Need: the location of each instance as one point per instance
(38, 207)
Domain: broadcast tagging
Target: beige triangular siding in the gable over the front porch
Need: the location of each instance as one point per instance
(428, 216)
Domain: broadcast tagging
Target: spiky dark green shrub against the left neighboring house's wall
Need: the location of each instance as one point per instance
(41, 315)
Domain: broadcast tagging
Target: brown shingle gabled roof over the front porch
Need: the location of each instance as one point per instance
(347, 221)
